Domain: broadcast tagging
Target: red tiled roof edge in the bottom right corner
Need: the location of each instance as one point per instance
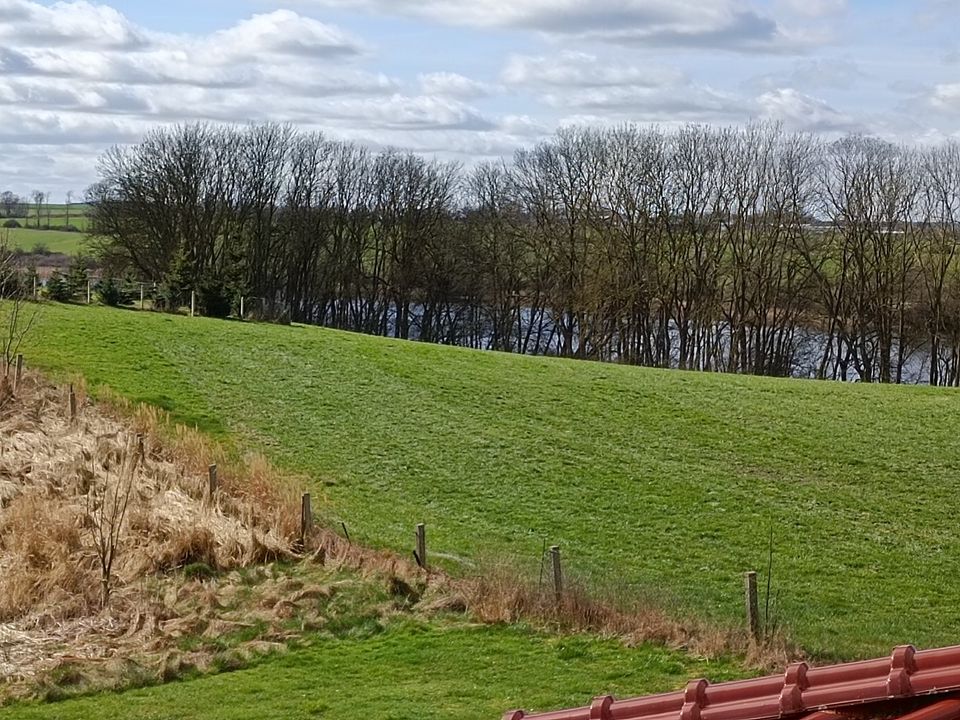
(914, 685)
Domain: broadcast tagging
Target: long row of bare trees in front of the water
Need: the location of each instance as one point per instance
(749, 250)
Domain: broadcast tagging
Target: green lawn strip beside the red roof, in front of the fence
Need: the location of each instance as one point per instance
(411, 671)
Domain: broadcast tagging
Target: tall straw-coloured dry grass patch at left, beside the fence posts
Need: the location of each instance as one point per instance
(53, 470)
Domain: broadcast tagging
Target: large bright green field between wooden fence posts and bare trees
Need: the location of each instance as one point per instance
(662, 480)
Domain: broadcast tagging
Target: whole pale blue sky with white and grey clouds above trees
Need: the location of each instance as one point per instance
(461, 79)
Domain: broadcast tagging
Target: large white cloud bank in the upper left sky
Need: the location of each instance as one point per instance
(84, 74)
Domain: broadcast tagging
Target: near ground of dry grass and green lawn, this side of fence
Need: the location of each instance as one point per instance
(202, 585)
